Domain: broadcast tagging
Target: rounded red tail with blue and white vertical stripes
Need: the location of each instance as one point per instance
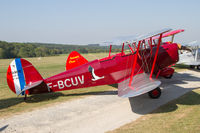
(22, 75)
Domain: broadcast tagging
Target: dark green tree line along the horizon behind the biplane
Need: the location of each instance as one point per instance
(15, 50)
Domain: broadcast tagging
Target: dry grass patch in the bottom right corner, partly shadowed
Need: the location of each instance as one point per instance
(178, 116)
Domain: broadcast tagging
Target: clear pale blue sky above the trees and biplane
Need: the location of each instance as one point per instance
(95, 21)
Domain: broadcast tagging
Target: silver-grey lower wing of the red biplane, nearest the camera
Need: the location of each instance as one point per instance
(141, 84)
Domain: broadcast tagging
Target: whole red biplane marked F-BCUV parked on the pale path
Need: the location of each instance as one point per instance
(135, 70)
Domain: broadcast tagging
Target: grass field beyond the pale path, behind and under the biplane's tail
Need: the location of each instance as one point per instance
(47, 66)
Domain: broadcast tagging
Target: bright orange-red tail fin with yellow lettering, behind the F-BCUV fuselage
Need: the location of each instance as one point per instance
(75, 59)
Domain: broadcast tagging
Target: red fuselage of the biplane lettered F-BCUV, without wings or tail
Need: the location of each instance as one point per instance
(111, 70)
